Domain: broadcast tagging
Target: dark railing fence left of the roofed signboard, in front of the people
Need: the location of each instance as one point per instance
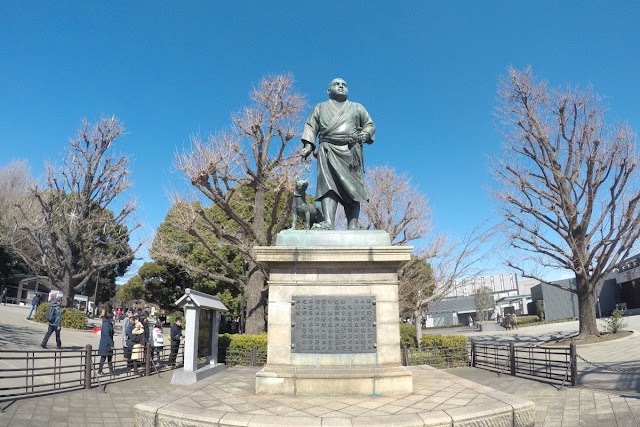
(36, 372)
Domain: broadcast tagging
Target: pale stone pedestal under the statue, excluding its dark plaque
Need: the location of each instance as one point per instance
(334, 263)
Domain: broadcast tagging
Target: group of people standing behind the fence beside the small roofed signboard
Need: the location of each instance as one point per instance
(137, 334)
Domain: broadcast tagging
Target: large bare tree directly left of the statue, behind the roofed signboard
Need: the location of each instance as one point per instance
(247, 174)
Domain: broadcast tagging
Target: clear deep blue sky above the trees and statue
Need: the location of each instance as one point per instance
(426, 71)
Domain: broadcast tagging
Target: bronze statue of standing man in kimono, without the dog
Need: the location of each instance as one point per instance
(341, 127)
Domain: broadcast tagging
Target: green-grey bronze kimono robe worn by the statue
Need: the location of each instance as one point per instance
(340, 160)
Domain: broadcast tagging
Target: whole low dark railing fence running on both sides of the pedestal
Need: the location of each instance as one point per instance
(35, 372)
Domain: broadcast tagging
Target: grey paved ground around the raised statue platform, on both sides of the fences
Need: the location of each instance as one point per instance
(603, 399)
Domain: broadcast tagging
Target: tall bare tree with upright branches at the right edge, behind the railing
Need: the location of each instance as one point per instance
(569, 184)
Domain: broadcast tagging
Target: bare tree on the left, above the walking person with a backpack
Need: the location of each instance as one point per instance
(66, 229)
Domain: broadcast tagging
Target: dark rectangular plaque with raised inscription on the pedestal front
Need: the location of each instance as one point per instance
(333, 325)
